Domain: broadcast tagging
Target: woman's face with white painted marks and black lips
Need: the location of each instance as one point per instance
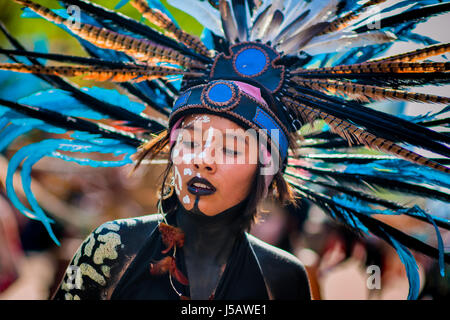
(215, 163)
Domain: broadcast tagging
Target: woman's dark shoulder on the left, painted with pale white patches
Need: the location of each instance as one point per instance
(103, 257)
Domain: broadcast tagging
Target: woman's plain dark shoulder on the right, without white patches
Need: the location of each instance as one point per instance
(285, 274)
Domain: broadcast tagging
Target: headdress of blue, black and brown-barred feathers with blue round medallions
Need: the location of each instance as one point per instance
(316, 60)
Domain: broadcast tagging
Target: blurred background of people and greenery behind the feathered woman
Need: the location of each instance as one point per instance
(81, 198)
